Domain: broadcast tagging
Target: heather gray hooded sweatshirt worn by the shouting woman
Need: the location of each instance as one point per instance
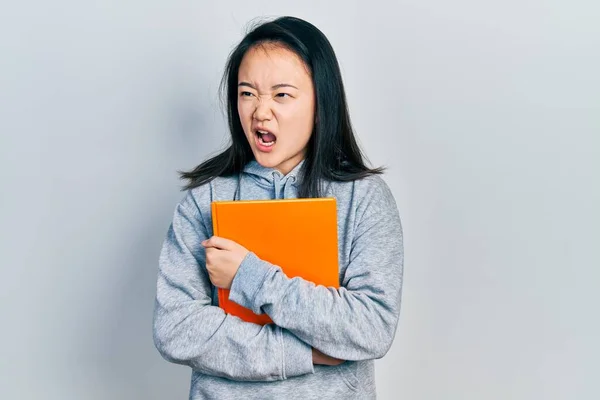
(233, 359)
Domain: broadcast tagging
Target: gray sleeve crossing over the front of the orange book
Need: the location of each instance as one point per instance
(358, 321)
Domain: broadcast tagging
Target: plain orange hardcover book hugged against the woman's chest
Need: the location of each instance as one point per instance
(297, 235)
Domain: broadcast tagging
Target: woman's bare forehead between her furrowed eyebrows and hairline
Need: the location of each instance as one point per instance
(271, 64)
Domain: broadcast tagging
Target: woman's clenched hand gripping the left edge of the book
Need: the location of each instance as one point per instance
(223, 259)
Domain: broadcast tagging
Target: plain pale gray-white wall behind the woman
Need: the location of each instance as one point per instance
(486, 113)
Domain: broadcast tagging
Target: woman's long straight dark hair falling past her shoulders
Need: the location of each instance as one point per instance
(332, 153)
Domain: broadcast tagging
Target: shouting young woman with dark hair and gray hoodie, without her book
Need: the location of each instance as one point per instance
(291, 137)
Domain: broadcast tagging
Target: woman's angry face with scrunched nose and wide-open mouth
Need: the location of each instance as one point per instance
(276, 105)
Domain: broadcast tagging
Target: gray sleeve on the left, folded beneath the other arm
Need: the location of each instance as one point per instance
(189, 330)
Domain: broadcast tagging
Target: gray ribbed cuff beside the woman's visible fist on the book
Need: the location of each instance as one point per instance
(248, 281)
